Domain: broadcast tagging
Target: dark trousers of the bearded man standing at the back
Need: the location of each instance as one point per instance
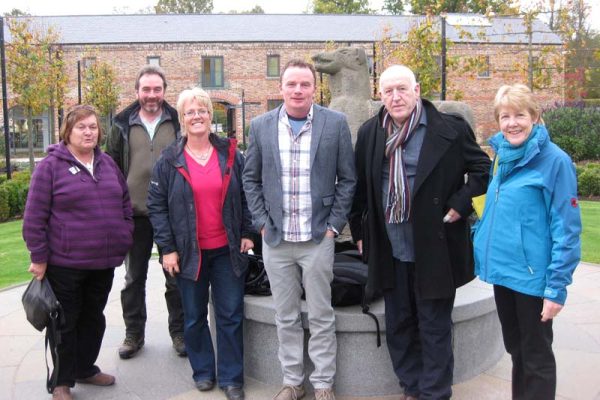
(133, 295)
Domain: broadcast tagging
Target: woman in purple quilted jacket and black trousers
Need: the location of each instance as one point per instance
(78, 227)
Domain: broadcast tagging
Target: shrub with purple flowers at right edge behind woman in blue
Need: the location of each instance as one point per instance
(576, 130)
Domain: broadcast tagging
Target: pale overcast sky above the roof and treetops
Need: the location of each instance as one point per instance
(70, 7)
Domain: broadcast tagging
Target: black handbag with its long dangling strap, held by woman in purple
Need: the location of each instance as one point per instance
(43, 310)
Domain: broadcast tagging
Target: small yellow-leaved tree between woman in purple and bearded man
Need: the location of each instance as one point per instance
(101, 90)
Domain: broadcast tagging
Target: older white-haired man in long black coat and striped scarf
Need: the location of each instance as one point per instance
(409, 218)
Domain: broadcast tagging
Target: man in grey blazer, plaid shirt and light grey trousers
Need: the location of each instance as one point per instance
(299, 181)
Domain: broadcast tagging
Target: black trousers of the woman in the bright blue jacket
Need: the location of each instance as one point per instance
(528, 340)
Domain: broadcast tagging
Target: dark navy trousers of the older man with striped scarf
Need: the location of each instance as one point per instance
(419, 337)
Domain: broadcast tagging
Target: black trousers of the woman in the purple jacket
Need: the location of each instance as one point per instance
(83, 295)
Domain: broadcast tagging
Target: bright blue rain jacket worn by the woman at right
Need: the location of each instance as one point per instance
(528, 238)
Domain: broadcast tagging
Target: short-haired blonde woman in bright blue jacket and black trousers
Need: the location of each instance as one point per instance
(527, 241)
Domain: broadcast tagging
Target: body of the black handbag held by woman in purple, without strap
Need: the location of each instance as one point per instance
(40, 303)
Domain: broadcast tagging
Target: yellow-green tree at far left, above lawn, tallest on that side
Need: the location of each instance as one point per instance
(36, 77)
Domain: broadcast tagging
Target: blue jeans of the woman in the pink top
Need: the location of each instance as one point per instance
(228, 303)
